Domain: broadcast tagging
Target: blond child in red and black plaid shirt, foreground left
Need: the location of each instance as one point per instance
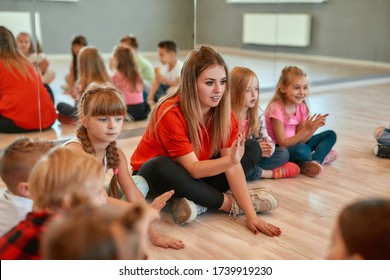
(55, 186)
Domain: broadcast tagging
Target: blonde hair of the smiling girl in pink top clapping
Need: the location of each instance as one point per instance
(286, 76)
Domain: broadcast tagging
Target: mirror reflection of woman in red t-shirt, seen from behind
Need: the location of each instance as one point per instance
(25, 104)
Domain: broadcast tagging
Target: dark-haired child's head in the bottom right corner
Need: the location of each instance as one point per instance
(362, 231)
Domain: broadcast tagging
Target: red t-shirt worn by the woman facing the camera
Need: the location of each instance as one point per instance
(173, 138)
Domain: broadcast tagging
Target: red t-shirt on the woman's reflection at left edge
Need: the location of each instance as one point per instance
(19, 99)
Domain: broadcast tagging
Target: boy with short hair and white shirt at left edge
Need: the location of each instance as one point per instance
(16, 164)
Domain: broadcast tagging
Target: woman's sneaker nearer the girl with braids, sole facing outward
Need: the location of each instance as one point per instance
(185, 211)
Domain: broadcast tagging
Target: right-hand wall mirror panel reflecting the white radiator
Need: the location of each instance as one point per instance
(334, 41)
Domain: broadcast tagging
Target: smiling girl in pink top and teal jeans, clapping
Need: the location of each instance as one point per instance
(290, 125)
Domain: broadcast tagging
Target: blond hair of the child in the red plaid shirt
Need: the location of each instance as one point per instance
(60, 173)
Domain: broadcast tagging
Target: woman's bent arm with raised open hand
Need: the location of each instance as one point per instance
(206, 168)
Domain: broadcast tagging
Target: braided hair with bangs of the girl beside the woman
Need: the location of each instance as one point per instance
(102, 100)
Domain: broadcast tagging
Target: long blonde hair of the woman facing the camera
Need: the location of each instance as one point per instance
(196, 62)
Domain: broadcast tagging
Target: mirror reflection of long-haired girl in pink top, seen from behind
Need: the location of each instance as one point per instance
(129, 81)
